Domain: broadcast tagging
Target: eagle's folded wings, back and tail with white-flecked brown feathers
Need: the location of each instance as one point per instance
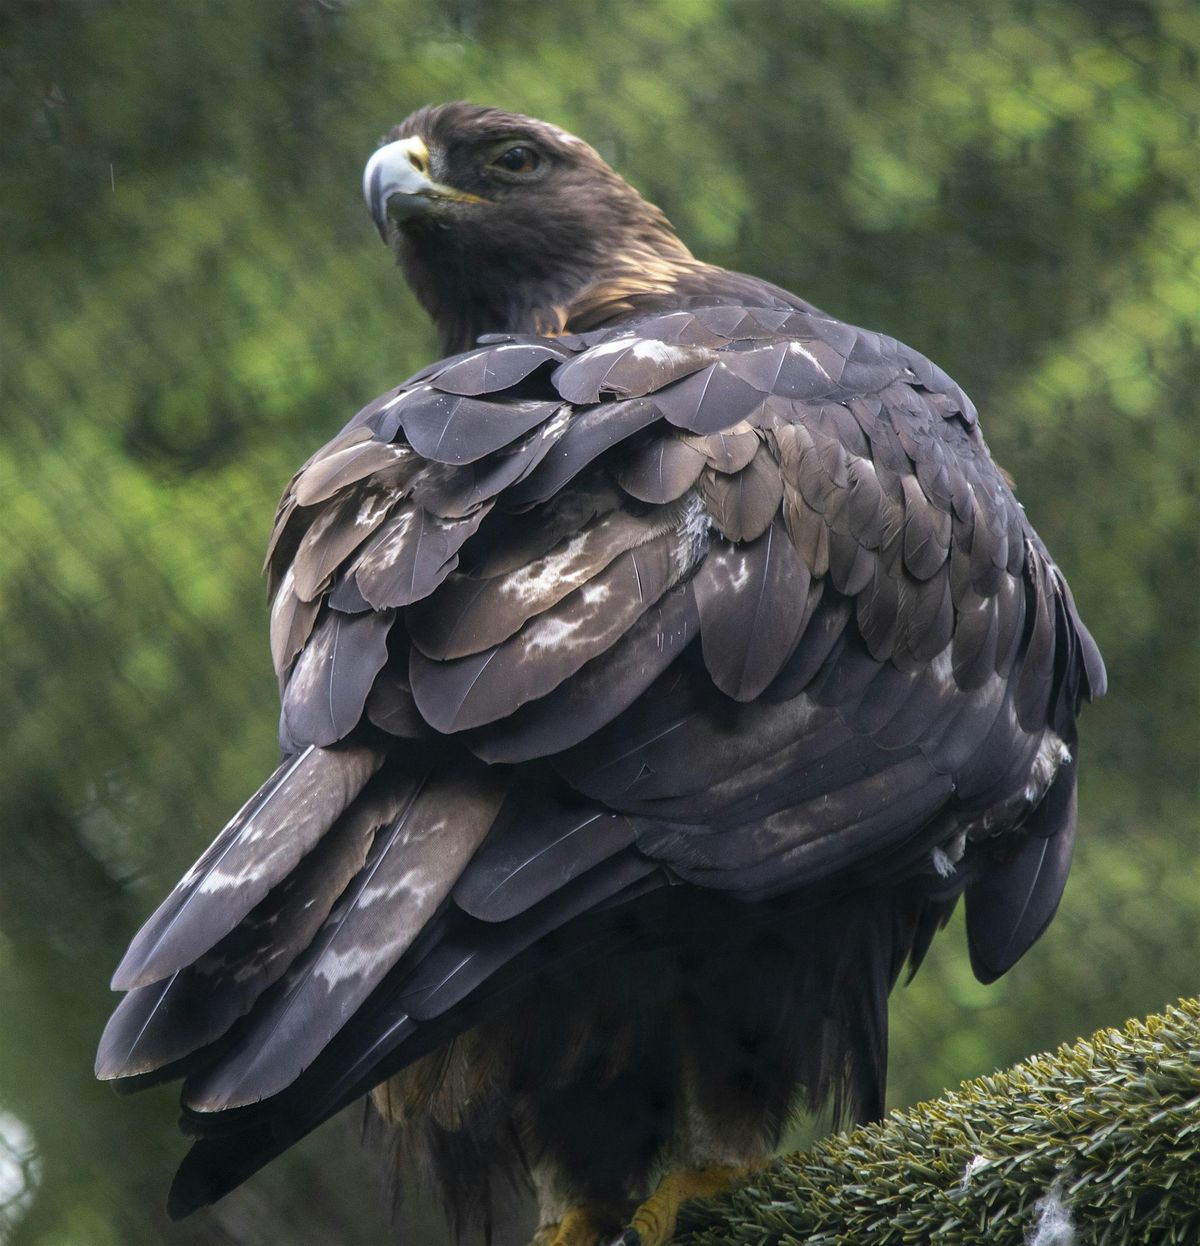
(731, 597)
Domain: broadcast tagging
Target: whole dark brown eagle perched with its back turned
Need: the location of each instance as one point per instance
(656, 677)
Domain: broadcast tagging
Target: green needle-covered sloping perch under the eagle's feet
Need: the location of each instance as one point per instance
(1098, 1144)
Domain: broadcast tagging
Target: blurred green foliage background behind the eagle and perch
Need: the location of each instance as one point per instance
(193, 300)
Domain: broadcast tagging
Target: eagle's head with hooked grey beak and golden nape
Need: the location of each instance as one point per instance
(502, 222)
